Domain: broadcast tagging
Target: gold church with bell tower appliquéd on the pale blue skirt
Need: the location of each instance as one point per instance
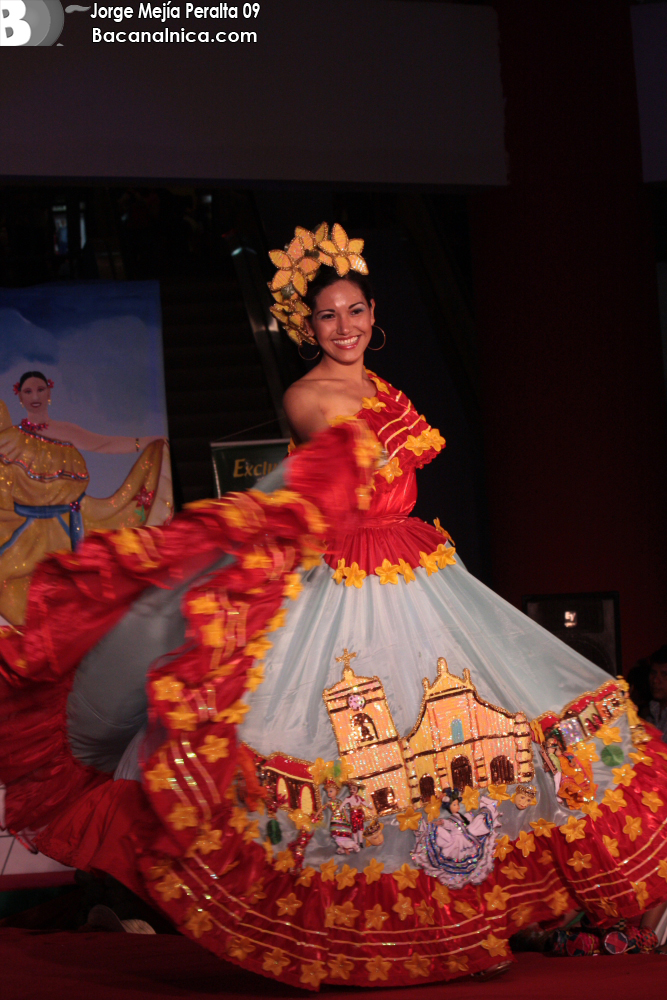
(458, 740)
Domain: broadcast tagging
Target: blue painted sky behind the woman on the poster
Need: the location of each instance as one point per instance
(101, 343)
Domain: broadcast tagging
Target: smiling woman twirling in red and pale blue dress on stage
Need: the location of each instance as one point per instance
(277, 661)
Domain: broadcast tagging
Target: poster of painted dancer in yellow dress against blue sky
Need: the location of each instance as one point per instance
(83, 424)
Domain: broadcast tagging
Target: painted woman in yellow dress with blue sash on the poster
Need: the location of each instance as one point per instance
(43, 482)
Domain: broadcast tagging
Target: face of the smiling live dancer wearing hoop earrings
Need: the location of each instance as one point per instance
(342, 321)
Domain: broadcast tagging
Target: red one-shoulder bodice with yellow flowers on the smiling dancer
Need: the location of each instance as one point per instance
(388, 532)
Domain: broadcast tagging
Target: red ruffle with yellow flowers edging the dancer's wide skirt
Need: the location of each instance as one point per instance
(185, 840)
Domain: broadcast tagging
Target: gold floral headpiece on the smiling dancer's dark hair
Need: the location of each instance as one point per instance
(298, 264)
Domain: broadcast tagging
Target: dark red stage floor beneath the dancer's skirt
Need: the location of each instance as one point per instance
(105, 966)
